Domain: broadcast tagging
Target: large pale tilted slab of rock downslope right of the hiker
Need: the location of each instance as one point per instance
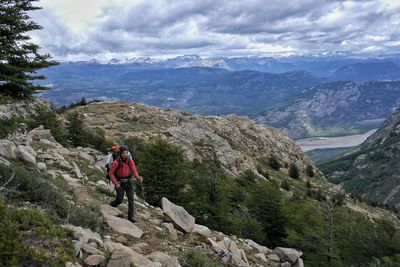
(178, 215)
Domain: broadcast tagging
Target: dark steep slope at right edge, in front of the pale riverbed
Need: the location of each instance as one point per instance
(357, 170)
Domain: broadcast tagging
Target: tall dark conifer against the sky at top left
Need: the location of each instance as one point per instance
(19, 58)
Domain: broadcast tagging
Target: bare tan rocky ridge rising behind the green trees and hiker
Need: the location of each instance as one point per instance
(237, 142)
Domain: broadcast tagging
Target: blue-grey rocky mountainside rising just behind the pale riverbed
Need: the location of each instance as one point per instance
(334, 109)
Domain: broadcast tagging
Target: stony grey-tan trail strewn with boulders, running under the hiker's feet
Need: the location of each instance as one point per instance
(160, 235)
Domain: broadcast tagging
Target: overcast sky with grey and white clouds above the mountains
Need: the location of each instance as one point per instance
(103, 29)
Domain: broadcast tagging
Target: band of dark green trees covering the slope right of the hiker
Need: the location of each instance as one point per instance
(312, 219)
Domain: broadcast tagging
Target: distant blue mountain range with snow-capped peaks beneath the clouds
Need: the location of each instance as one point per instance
(301, 101)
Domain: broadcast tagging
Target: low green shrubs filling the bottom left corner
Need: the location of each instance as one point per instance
(29, 237)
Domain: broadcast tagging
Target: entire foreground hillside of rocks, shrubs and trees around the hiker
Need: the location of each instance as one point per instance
(220, 169)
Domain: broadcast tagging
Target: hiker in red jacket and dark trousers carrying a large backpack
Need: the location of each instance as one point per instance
(120, 175)
